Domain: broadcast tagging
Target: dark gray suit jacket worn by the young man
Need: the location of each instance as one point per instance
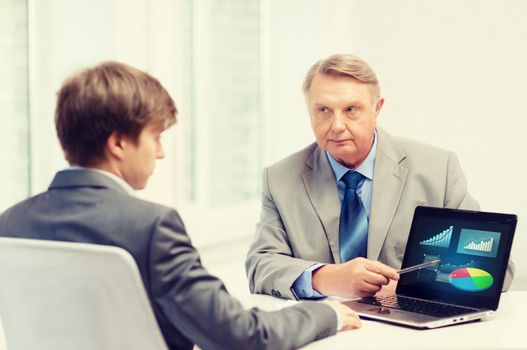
(190, 305)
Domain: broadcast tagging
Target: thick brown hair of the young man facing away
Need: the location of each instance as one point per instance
(110, 97)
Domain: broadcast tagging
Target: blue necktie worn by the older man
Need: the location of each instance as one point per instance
(353, 229)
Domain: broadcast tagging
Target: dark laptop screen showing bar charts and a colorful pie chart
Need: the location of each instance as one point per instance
(474, 250)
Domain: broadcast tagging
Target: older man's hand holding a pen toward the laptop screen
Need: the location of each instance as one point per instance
(356, 278)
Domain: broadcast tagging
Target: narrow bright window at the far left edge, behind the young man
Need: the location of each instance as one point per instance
(14, 115)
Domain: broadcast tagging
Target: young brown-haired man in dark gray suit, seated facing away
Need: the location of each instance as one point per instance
(109, 120)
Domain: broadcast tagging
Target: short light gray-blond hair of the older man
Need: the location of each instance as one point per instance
(343, 65)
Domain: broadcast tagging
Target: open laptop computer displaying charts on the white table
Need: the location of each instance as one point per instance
(473, 248)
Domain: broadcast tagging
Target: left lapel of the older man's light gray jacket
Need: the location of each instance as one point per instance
(322, 191)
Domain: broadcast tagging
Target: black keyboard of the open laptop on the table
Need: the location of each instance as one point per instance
(416, 305)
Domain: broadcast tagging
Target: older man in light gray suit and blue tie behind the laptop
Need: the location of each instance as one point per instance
(335, 216)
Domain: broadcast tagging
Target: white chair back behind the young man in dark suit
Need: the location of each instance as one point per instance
(73, 296)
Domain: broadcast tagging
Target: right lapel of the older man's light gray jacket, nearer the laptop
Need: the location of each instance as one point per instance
(389, 178)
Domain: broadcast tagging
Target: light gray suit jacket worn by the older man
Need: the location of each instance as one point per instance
(299, 219)
